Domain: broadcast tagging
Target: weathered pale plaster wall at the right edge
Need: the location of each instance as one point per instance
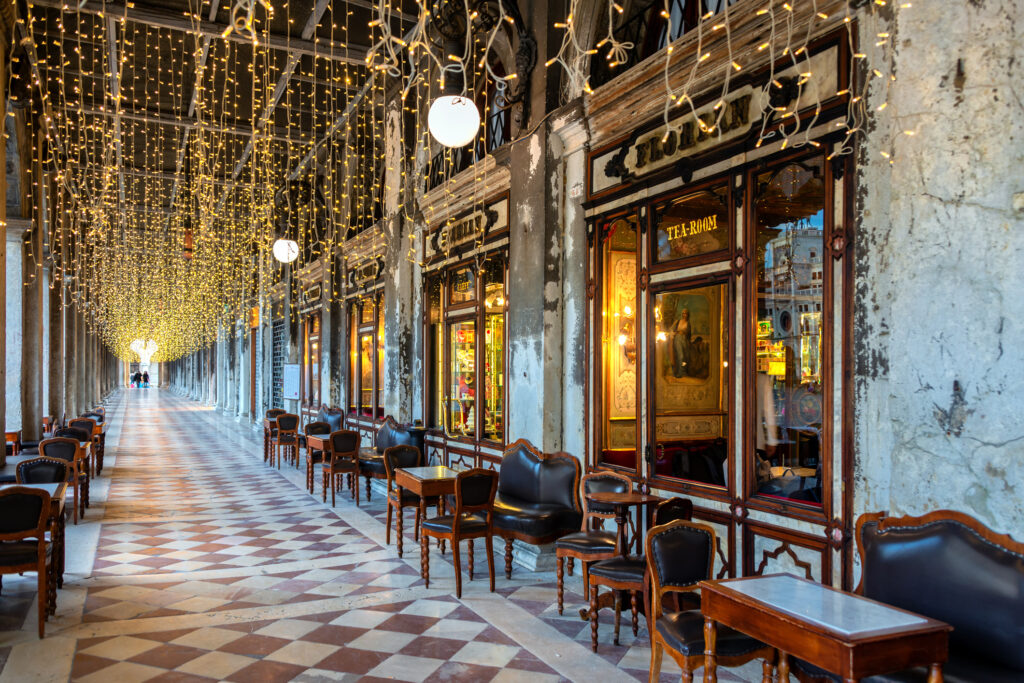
(941, 271)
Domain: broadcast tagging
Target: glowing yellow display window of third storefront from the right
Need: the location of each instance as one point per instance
(366, 358)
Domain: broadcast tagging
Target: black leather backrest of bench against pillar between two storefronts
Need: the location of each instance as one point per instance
(529, 478)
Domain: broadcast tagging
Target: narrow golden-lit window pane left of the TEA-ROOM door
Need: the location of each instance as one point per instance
(619, 343)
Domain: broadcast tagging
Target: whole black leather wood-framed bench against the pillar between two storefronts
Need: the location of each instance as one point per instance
(538, 497)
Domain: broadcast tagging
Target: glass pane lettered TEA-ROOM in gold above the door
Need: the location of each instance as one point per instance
(695, 225)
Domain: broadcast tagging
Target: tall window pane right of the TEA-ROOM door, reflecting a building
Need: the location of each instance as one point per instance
(790, 228)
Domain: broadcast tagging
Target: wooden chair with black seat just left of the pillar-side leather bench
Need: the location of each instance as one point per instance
(474, 519)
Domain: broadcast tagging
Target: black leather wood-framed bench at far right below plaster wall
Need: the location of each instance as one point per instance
(949, 567)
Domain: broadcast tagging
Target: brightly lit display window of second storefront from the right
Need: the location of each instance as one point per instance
(465, 351)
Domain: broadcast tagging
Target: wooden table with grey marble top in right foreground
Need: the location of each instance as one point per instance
(843, 633)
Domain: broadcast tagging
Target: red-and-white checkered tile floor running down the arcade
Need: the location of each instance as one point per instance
(198, 563)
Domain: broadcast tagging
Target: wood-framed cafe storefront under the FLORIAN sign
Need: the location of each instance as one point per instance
(718, 295)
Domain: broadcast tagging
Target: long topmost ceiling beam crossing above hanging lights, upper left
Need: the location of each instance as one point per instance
(163, 19)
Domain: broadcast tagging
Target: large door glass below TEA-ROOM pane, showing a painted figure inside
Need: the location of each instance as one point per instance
(691, 398)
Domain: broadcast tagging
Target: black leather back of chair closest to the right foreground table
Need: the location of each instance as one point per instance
(681, 553)
